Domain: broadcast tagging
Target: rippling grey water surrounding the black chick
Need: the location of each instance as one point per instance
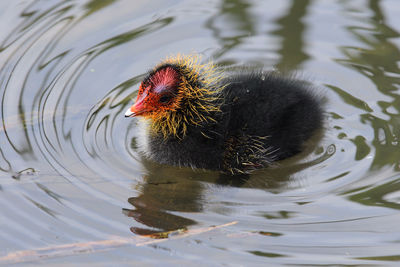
(74, 189)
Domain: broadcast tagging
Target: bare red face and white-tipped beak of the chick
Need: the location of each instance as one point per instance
(156, 94)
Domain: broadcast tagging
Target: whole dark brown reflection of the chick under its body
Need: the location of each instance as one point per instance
(167, 190)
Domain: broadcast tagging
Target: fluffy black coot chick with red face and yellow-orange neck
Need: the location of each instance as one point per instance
(199, 118)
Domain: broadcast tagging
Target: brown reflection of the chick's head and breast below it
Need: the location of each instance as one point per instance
(165, 191)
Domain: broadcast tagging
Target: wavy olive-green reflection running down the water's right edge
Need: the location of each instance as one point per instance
(377, 59)
